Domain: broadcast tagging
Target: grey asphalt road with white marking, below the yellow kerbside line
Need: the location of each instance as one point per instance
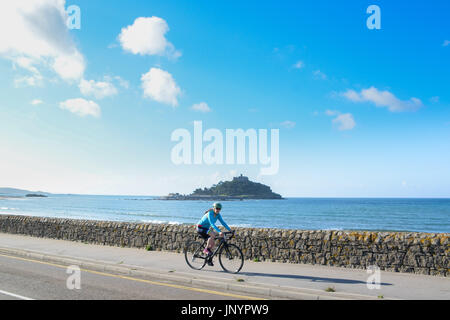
(24, 279)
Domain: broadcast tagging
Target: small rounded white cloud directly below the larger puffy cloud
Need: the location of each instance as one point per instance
(160, 86)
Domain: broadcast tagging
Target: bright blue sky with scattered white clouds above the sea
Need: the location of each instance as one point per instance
(90, 99)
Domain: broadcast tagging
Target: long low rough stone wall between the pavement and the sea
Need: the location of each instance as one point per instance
(424, 253)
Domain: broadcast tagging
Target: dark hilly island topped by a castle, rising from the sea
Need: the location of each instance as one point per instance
(240, 188)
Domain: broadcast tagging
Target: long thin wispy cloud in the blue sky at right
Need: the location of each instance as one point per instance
(383, 99)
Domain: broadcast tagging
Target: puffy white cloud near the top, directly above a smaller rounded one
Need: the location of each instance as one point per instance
(146, 36)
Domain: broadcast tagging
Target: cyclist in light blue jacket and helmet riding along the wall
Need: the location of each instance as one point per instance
(207, 228)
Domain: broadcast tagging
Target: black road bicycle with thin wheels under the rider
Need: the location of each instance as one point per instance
(230, 256)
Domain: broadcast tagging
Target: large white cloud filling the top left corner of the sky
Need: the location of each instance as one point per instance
(34, 35)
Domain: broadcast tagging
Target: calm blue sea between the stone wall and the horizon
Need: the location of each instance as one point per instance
(423, 215)
